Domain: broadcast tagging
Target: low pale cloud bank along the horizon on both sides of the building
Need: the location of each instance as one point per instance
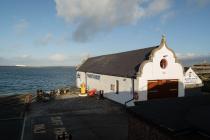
(59, 59)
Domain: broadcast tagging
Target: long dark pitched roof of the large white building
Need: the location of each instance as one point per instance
(124, 64)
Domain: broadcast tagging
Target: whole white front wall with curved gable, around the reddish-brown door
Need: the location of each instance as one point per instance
(153, 71)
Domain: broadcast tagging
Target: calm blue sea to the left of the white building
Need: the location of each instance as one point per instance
(18, 80)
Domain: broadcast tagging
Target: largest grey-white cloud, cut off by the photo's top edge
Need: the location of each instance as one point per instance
(94, 16)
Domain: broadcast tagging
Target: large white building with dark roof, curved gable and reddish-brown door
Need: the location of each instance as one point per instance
(137, 75)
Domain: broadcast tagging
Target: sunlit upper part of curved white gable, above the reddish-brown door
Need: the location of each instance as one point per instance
(152, 70)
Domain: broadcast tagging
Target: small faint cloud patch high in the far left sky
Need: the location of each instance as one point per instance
(21, 26)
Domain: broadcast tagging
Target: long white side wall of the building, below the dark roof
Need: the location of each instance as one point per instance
(125, 86)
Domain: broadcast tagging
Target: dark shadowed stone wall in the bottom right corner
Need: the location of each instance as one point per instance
(141, 129)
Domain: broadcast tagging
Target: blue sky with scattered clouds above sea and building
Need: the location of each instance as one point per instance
(65, 32)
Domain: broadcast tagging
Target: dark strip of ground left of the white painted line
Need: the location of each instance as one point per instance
(11, 117)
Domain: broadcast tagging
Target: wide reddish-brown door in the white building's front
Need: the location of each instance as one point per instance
(162, 89)
